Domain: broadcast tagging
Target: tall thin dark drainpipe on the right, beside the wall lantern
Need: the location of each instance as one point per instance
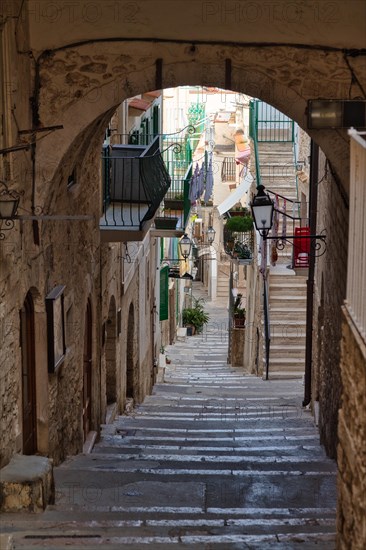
(313, 205)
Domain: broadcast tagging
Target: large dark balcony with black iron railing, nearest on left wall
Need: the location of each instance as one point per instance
(135, 181)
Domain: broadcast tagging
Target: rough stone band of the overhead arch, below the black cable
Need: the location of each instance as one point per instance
(83, 95)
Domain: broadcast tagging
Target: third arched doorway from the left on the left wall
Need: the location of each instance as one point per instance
(110, 353)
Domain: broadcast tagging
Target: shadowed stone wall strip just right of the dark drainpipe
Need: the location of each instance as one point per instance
(330, 289)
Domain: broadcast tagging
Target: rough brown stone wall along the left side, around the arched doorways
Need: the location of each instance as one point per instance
(37, 256)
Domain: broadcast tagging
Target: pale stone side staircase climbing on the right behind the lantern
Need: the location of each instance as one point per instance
(287, 291)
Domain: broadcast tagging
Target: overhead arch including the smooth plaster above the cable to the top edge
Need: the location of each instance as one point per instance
(281, 52)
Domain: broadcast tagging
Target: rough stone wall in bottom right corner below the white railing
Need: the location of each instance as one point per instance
(351, 513)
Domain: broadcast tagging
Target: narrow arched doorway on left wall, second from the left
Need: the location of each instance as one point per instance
(87, 371)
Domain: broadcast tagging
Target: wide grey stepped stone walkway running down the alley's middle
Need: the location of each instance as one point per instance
(212, 460)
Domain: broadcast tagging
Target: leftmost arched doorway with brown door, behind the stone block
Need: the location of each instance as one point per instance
(29, 416)
